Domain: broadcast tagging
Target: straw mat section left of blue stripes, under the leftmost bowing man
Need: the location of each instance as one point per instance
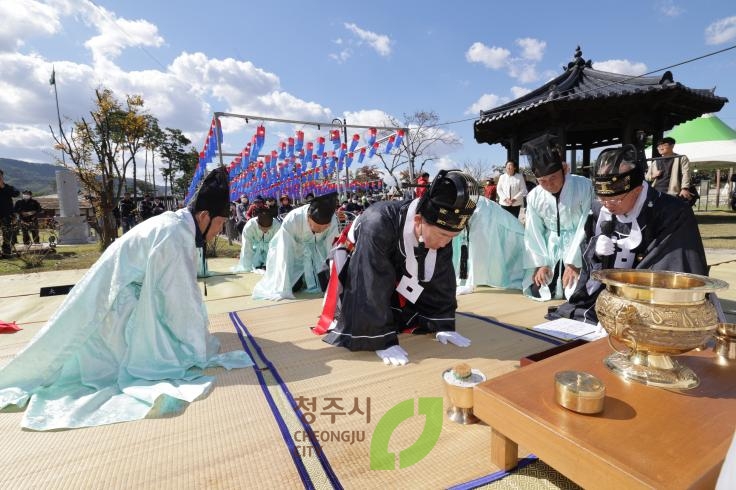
(228, 439)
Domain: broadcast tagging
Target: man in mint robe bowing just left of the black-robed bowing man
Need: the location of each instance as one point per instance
(298, 250)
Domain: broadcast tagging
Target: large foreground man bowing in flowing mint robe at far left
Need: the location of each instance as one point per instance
(132, 331)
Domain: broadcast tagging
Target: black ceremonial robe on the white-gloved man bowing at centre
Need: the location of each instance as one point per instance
(371, 312)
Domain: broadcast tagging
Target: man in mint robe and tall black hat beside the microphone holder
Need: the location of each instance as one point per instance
(555, 222)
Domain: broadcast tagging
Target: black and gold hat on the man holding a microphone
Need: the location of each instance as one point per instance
(618, 170)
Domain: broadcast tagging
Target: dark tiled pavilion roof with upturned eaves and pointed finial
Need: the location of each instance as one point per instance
(588, 108)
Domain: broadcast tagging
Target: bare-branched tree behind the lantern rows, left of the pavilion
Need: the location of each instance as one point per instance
(424, 142)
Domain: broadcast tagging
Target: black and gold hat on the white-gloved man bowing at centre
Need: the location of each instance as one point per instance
(450, 200)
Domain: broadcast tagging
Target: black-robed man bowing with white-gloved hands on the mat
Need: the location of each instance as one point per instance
(393, 271)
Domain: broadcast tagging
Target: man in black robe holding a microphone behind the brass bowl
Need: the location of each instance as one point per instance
(632, 226)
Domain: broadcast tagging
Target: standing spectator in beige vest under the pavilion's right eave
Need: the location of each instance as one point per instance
(670, 173)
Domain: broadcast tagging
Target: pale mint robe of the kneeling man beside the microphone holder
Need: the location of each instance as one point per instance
(544, 246)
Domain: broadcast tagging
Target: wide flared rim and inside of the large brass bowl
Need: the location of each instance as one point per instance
(660, 287)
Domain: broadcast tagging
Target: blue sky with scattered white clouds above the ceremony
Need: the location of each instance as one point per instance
(310, 60)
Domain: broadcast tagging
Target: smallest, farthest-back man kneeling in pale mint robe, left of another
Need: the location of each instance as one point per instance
(257, 234)
